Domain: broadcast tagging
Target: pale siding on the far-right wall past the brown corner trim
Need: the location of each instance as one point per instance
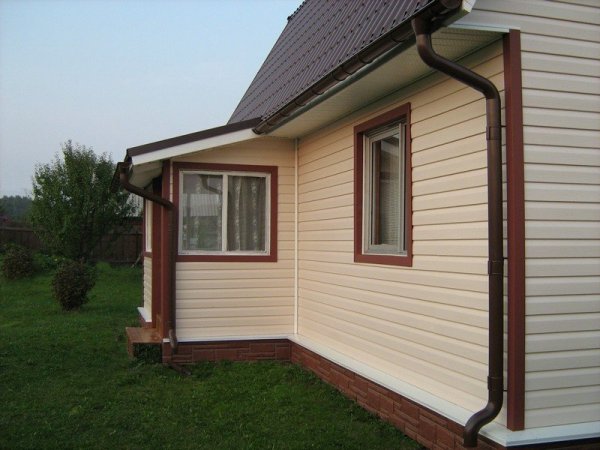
(561, 107)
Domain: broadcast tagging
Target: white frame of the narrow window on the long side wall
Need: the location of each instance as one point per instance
(372, 136)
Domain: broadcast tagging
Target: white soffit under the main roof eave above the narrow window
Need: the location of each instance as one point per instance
(391, 76)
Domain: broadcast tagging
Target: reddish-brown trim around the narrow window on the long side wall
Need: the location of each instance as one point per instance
(401, 113)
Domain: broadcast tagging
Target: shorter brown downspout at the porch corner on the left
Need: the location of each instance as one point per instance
(123, 169)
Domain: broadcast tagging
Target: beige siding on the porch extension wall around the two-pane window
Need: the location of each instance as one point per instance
(248, 299)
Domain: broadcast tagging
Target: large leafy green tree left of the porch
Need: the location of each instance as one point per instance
(73, 206)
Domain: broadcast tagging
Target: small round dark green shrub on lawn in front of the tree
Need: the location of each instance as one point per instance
(72, 282)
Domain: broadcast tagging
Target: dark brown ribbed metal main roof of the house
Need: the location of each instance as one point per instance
(318, 38)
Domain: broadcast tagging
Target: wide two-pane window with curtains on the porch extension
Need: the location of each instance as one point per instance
(227, 212)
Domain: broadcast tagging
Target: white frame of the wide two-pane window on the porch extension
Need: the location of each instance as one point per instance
(224, 212)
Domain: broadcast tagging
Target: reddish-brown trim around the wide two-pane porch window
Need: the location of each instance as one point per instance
(272, 170)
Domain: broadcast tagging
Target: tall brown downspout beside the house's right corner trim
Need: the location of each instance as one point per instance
(422, 28)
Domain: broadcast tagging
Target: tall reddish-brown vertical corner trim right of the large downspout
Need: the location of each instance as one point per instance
(515, 231)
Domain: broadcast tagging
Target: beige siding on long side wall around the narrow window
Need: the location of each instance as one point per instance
(427, 324)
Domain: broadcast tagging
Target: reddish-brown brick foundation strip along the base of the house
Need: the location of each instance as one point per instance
(430, 429)
